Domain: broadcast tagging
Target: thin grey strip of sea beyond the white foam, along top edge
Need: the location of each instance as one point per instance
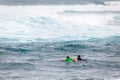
(54, 2)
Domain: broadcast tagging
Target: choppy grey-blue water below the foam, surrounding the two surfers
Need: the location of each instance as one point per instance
(42, 61)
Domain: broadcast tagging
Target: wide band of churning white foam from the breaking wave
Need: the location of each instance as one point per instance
(18, 22)
